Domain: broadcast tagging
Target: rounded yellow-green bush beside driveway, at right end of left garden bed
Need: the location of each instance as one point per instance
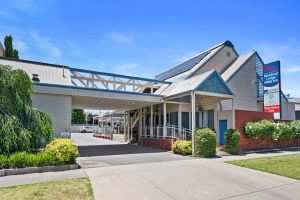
(65, 150)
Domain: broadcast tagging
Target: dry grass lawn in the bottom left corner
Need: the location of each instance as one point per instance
(66, 189)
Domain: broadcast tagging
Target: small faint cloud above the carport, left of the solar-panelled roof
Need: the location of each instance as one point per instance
(126, 37)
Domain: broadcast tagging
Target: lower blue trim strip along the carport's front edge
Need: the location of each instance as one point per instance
(95, 89)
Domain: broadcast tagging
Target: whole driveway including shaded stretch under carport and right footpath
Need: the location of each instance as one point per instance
(121, 171)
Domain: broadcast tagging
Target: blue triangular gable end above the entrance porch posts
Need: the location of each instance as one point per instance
(215, 84)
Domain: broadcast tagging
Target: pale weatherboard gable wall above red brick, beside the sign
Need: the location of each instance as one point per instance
(244, 86)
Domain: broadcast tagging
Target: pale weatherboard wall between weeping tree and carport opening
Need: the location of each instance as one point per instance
(58, 107)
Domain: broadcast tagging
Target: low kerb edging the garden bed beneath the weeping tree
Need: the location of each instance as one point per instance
(29, 170)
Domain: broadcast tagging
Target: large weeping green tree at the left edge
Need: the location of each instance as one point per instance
(22, 128)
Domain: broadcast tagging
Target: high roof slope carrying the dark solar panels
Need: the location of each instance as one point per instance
(190, 63)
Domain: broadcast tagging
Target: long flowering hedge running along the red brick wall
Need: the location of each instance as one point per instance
(266, 129)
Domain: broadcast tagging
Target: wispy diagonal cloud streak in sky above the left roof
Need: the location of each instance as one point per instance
(46, 44)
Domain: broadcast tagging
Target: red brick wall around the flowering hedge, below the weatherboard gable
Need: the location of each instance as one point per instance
(241, 117)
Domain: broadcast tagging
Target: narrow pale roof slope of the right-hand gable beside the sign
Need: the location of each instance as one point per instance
(236, 65)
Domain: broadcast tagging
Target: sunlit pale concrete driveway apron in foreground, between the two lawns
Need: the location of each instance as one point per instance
(189, 179)
